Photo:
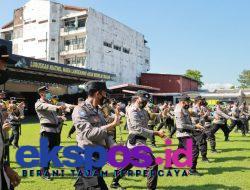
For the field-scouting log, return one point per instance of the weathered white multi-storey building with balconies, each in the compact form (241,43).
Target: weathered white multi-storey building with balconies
(79,37)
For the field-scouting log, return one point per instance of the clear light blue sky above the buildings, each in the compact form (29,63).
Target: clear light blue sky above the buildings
(212,36)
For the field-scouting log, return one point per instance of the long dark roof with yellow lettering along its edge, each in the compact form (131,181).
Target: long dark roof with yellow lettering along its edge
(29,69)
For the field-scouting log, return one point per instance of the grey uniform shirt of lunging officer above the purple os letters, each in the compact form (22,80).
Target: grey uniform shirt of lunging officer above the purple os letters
(137,121)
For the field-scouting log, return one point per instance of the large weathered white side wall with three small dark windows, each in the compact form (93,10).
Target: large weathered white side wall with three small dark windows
(127,67)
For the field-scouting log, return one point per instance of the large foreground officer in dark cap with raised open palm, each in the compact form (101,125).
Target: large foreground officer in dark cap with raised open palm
(92,129)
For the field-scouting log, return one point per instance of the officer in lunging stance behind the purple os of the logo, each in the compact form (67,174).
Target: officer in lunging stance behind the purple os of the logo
(137,121)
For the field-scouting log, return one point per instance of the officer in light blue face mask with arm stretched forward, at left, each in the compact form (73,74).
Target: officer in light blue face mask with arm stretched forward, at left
(49,121)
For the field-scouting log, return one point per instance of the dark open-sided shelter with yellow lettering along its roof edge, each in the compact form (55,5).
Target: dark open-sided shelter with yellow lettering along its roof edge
(21,76)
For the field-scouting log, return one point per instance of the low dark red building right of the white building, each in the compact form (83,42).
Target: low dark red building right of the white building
(168,83)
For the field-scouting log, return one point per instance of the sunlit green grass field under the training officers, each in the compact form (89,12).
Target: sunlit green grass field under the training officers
(229,169)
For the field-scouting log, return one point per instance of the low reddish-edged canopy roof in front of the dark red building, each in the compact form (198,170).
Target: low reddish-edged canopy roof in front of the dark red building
(133,87)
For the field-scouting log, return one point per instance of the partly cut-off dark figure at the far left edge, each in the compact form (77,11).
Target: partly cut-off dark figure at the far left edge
(8,177)
